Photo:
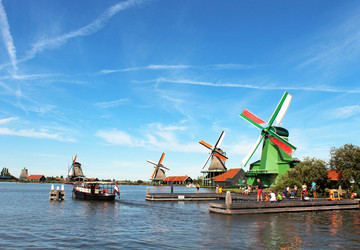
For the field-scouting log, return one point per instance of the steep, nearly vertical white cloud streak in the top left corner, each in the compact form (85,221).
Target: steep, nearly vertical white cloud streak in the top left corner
(7,38)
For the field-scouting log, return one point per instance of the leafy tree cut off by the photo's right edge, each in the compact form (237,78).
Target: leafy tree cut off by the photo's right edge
(346,160)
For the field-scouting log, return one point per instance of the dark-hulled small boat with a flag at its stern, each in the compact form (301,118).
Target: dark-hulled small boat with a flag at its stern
(96,190)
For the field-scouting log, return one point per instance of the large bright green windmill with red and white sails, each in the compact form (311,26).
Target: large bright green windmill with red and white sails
(276,150)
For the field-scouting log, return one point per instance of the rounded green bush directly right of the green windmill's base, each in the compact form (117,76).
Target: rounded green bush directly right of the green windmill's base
(307,171)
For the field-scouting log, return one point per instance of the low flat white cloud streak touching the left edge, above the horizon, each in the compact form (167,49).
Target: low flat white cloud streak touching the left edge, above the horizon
(42,134)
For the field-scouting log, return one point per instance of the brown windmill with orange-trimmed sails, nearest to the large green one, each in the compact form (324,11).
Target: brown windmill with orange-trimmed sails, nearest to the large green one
(217,164)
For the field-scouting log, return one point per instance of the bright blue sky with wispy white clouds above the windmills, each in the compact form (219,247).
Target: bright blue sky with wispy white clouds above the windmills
(120,82)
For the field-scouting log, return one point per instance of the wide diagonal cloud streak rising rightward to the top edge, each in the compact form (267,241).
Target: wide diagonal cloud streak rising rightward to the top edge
(89,29)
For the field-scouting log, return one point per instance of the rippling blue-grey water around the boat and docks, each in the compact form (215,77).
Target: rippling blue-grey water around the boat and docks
(28,219)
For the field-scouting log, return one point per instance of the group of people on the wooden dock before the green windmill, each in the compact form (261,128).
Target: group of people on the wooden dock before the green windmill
(288,193)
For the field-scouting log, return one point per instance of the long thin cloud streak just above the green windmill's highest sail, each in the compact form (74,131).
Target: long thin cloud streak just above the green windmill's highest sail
(320,88)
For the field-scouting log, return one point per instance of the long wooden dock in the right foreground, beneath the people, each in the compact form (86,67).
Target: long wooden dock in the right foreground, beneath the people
(253,207)
